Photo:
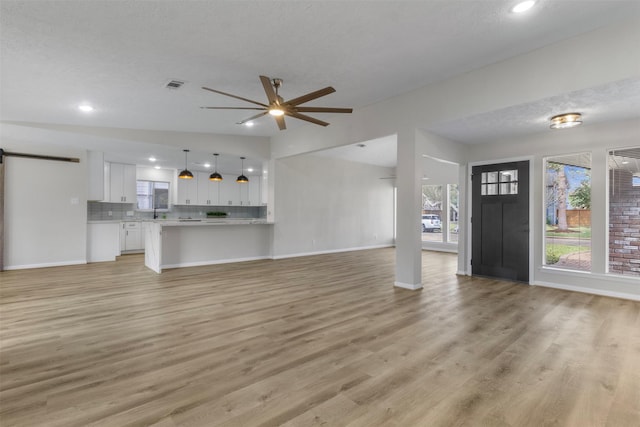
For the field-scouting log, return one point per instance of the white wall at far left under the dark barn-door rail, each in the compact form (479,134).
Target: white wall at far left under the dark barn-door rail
(45,208)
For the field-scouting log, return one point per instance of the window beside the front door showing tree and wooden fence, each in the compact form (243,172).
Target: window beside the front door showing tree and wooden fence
(568,211)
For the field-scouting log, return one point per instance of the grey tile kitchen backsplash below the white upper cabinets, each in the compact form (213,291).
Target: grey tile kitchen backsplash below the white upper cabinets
(100,211)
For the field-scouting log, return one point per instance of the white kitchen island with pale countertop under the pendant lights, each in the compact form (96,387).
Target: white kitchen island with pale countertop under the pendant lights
(188,243)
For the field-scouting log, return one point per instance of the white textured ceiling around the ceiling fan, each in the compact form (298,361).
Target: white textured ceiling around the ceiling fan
(118,56)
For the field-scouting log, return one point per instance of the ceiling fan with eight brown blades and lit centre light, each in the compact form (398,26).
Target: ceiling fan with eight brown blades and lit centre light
(278,107)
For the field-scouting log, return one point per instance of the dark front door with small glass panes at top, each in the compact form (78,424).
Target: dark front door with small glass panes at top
(500,221)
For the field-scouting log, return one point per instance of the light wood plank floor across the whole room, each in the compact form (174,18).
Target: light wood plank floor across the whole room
(323,340)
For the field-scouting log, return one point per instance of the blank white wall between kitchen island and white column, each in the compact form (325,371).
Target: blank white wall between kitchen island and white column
(325,205)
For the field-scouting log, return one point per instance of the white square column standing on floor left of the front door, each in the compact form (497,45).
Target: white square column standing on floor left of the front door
(408,227)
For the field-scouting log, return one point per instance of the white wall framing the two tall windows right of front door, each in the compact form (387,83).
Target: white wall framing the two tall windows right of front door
(597,140)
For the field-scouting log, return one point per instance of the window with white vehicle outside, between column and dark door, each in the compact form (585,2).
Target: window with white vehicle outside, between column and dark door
(437,202)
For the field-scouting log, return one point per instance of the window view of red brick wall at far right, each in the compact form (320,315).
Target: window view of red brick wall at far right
(624,212)
